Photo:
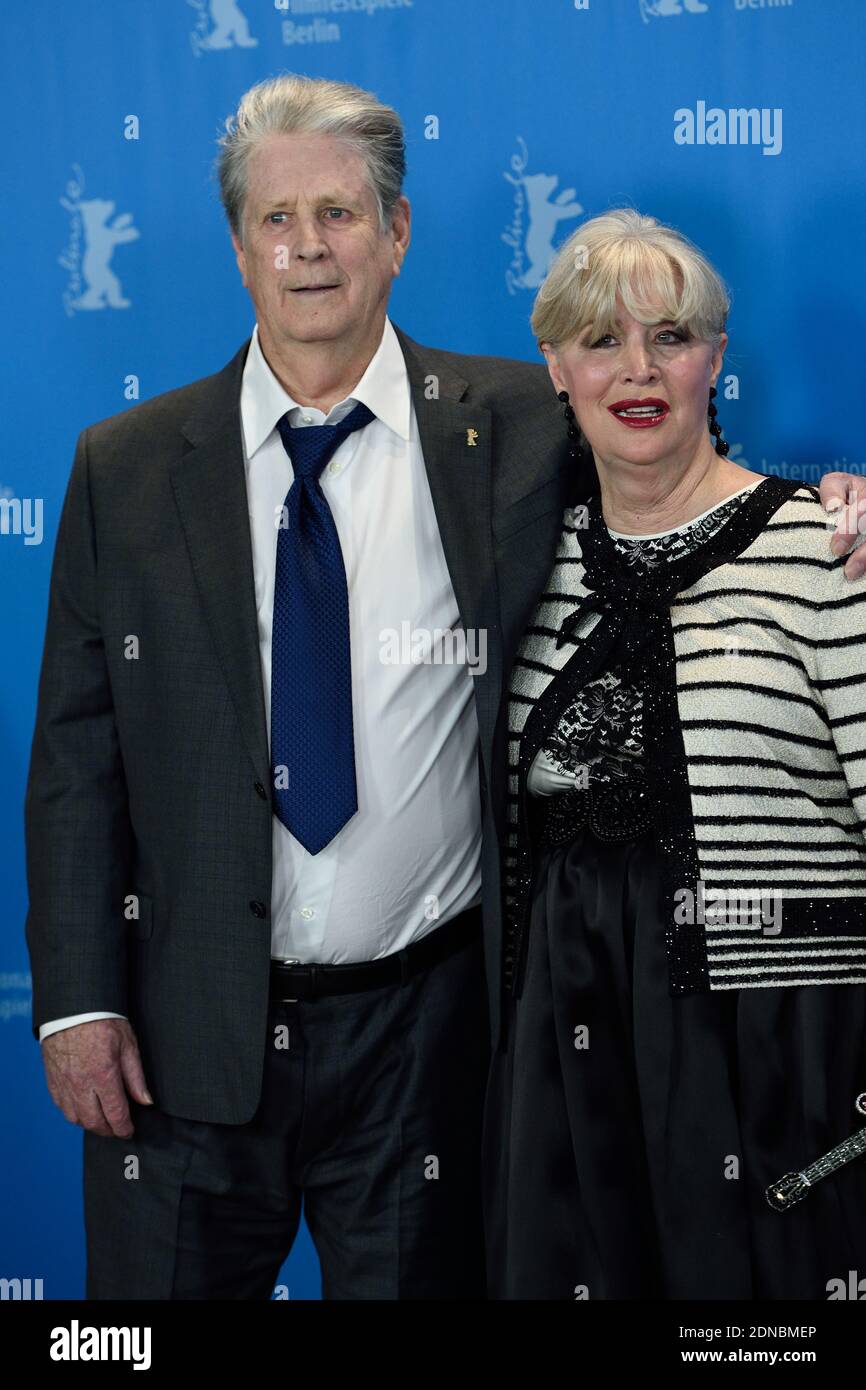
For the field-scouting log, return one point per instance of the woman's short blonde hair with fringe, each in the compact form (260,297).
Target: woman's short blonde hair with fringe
(644,262)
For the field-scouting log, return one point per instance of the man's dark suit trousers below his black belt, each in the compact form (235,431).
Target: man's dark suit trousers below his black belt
(370,1111)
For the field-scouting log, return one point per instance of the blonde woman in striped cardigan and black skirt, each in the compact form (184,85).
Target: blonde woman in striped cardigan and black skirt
(685,862)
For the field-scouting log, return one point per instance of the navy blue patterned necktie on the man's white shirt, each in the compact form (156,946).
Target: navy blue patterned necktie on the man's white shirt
(312,739)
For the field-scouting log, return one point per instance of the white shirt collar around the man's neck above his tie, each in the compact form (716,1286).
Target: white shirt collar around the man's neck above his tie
(384,389)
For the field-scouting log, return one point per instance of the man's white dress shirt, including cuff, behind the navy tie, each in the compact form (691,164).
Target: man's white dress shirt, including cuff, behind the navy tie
(411,857)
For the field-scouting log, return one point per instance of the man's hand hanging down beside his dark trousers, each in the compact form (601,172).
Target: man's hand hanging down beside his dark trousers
(87,1068)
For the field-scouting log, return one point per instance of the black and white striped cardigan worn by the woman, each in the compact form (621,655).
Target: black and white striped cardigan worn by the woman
(757,747)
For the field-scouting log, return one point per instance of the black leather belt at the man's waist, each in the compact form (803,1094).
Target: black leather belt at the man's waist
(293,982)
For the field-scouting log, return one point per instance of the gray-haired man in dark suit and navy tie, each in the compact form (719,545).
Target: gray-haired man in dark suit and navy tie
(255,840)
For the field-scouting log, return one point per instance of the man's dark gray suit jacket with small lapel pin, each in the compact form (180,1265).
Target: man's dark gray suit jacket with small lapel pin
(151,778)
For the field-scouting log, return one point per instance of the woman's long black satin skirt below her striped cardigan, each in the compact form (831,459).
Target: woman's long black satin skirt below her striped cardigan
(630,1135)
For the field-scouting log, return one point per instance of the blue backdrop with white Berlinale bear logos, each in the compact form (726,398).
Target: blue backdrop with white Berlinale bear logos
(740,122)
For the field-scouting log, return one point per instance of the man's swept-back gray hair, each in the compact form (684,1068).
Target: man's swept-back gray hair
(293,105)
